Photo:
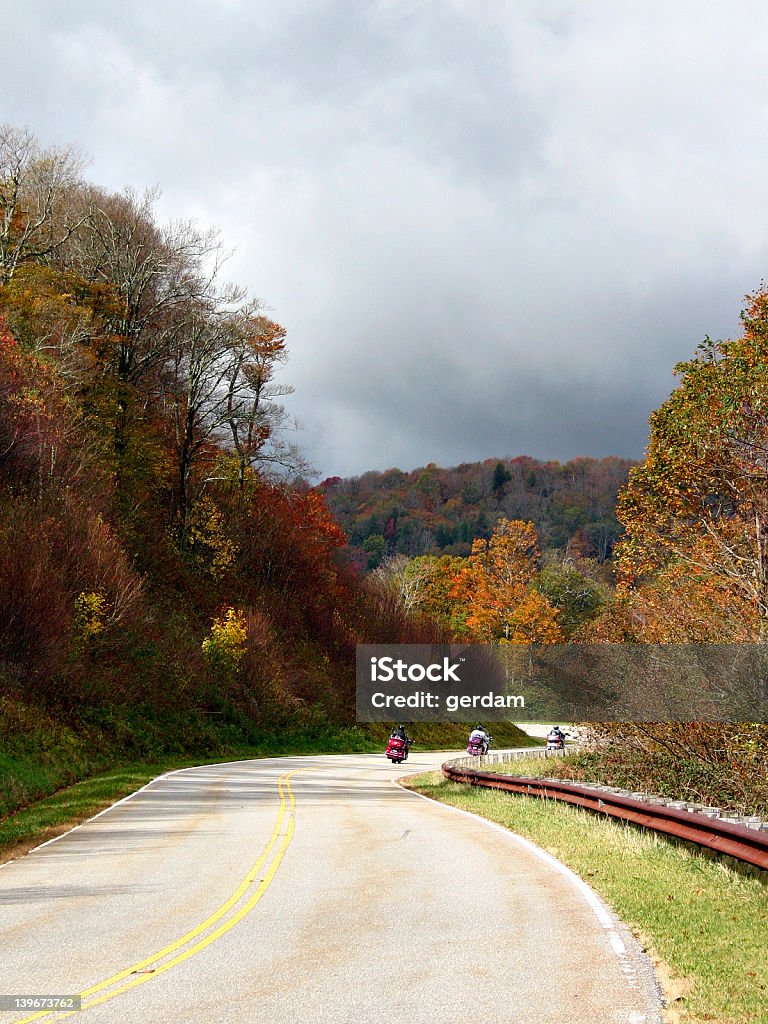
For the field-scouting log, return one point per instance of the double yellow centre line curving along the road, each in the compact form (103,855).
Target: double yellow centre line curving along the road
(284,788)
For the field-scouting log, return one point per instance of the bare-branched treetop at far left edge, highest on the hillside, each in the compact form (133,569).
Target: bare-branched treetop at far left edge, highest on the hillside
(35,220)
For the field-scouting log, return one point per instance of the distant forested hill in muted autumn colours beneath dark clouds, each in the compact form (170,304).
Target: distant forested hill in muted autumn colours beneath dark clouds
(433,510)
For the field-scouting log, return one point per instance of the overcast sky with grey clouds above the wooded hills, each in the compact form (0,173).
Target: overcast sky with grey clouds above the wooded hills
(490,228)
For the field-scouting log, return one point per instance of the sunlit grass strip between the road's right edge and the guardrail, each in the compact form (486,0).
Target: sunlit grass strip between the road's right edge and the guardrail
(705,918)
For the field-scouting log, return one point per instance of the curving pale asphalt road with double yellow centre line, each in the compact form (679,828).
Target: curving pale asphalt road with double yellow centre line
(310,890)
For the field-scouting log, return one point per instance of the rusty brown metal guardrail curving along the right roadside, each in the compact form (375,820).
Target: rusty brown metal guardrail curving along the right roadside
(735,840)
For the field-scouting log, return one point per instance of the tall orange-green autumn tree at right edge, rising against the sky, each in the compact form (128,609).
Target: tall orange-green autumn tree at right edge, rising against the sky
(700,501)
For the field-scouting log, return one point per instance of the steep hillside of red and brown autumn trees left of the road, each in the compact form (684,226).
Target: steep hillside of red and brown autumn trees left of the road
(164,584)
